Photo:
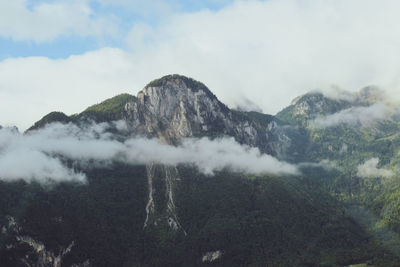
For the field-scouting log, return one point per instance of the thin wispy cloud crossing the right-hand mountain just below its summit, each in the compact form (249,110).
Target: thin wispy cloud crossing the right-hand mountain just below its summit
(366,116)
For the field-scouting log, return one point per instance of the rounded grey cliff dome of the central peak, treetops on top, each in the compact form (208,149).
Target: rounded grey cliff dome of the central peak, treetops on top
(176,107)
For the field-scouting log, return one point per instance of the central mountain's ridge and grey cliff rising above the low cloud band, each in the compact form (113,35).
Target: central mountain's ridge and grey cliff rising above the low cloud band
(174,107)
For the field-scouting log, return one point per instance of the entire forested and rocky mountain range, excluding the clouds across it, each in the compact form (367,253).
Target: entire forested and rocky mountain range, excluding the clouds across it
(175,215)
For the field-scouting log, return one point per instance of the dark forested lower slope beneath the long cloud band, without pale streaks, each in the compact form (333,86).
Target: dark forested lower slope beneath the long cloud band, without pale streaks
(254,221)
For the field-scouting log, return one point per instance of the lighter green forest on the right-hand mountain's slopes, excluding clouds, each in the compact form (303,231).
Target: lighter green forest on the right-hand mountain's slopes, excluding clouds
(372,201)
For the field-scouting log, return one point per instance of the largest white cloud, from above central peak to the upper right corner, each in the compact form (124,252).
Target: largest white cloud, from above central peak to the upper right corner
(272,51)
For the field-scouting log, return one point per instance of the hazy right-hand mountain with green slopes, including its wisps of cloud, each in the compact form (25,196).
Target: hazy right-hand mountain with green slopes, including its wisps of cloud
(359,138)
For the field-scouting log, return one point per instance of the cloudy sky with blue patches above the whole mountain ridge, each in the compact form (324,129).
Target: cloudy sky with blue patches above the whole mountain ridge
(65,55)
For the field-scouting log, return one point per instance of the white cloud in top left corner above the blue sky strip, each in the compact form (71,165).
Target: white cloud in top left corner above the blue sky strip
(46,21)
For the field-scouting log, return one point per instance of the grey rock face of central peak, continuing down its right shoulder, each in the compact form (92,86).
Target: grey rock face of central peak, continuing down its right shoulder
(176,107)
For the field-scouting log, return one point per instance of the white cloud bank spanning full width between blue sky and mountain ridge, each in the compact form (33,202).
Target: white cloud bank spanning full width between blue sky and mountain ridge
(269,51)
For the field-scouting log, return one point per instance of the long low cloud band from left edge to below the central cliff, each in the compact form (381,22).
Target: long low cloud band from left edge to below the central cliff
(37,155)
